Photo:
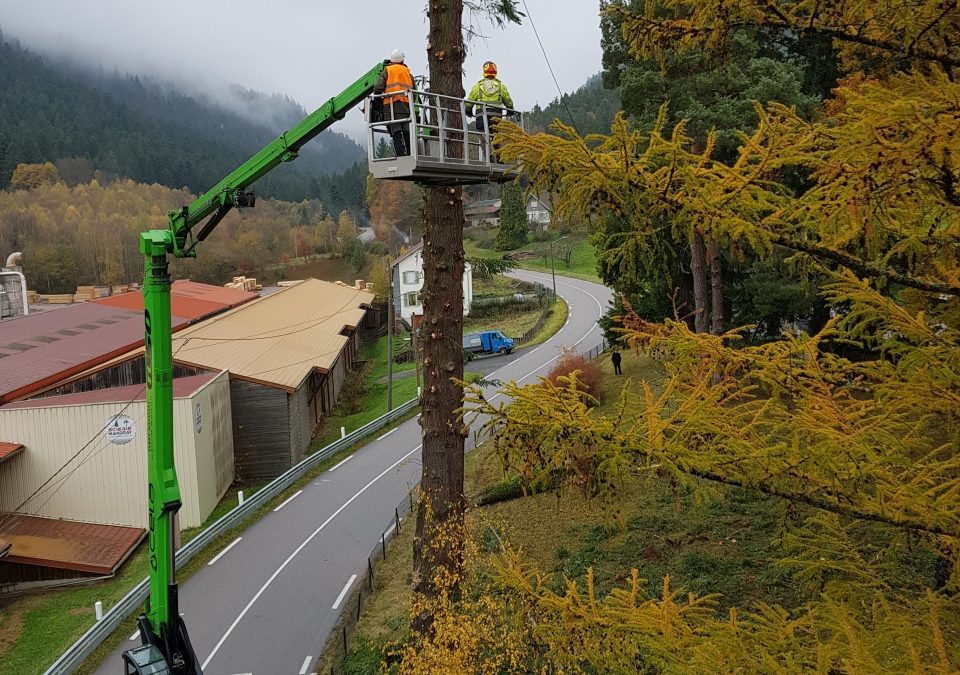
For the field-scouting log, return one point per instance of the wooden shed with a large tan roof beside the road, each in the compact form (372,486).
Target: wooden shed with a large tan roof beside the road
(288,354)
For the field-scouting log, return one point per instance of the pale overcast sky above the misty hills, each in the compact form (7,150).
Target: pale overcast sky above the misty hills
(306,49)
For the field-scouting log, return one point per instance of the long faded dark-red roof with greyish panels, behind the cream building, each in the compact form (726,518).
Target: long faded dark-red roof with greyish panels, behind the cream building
(39,350)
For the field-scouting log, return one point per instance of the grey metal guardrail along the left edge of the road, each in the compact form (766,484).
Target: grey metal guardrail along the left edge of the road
(132,601)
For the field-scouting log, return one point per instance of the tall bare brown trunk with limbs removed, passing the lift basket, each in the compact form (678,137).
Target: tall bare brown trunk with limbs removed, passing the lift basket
(438,541)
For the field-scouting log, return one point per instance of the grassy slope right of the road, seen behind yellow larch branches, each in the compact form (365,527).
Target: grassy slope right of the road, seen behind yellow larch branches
(724,544)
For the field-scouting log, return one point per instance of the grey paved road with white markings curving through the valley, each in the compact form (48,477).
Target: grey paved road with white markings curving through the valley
(268,602)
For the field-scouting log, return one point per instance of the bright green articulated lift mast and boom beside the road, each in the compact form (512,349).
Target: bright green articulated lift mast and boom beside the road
(165,645)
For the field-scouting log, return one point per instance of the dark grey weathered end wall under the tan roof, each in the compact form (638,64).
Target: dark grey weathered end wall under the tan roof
(261,430)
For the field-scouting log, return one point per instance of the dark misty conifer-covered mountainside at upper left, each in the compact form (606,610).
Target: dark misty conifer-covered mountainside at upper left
(110,126)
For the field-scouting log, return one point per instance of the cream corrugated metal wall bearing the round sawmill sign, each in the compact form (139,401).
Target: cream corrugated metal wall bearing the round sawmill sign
(104,483)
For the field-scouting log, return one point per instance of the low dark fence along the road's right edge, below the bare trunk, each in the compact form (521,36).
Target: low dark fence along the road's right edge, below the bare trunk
(339,643)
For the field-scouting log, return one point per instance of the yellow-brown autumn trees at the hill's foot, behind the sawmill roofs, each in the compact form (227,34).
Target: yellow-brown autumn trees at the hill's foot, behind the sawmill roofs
(87,234)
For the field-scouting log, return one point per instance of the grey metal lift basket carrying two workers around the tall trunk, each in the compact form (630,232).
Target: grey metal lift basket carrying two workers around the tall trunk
(446,148)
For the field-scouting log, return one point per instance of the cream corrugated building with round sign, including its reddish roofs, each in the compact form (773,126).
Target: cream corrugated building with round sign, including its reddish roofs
(82,460)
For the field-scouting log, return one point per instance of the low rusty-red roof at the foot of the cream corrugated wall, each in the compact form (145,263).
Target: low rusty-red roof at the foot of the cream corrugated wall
(67,544)
